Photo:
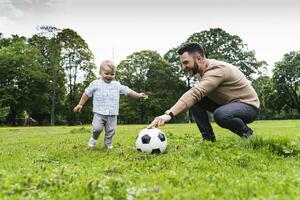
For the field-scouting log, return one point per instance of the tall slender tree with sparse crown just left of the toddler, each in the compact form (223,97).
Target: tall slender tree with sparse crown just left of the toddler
(78,63)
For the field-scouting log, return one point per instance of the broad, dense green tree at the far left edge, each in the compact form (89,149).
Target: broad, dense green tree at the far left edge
(23,81)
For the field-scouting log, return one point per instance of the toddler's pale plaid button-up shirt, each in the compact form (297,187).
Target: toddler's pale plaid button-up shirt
(106,96)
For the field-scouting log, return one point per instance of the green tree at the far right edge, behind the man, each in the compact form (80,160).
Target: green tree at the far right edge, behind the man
(286,78)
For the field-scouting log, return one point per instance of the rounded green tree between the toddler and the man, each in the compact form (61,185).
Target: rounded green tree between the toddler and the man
(147,71)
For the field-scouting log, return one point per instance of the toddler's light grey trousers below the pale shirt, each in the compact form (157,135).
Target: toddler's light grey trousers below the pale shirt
(109,122)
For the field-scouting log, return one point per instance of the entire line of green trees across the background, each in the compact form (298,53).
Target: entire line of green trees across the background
(44,76)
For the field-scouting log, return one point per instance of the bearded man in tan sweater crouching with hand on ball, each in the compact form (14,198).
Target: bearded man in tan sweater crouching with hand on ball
(222,90)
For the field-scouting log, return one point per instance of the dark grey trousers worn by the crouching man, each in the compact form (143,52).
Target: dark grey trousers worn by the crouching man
(233,116)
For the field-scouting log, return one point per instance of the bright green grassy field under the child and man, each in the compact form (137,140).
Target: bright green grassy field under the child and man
(55,163)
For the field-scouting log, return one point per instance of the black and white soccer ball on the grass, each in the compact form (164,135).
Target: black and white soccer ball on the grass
(151,140)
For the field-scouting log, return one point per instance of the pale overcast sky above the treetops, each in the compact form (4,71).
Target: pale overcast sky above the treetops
(114,29)
